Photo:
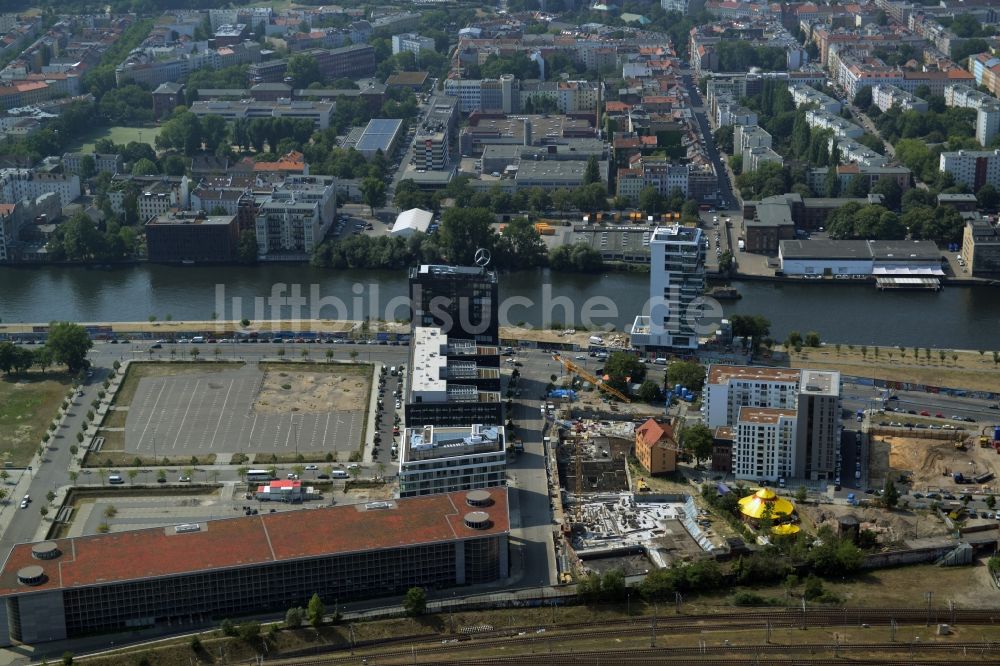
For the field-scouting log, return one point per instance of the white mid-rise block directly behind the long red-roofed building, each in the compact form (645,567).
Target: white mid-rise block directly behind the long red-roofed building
(435,459)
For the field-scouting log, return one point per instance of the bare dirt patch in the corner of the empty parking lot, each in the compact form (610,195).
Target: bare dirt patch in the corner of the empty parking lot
(286,390)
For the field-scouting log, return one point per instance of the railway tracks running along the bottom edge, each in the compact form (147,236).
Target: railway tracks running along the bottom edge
(410,647)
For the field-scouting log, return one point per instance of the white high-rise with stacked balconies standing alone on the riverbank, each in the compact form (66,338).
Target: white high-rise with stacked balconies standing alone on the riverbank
(676,279)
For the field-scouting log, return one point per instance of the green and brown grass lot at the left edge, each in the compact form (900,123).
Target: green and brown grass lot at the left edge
(27,405)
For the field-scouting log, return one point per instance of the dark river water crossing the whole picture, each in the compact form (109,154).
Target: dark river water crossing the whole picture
(955,317)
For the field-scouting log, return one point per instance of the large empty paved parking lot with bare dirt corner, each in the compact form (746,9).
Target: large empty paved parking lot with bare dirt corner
(278,410)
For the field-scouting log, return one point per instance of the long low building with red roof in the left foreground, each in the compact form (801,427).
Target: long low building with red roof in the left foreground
(107,582)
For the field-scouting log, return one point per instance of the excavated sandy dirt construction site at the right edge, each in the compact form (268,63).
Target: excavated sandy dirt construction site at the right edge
(930,461)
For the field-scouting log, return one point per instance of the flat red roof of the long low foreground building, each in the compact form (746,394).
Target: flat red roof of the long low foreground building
(245,541)
